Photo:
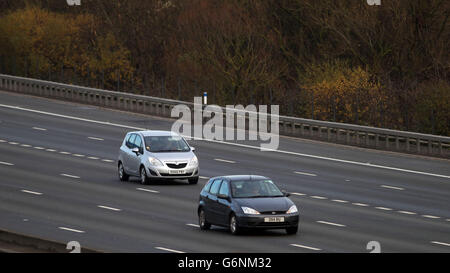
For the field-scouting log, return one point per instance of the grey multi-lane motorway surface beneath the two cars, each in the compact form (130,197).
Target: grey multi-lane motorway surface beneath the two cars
(58,180)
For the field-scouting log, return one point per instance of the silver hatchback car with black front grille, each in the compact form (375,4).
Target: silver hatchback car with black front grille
(157,155)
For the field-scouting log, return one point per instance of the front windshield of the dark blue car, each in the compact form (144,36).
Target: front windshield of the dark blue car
(254,189)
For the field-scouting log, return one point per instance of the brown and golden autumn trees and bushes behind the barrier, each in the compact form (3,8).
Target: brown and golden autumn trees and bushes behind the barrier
(342,61)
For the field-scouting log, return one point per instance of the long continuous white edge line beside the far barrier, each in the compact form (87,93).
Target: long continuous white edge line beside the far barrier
(234,144)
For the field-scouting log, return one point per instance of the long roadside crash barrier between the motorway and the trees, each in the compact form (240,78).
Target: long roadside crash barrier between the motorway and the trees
(342,133)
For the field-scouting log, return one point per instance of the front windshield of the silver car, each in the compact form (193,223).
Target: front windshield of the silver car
(165,144)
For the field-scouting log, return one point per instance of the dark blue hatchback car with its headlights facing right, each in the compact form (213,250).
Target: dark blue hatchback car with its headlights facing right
(246,201)
